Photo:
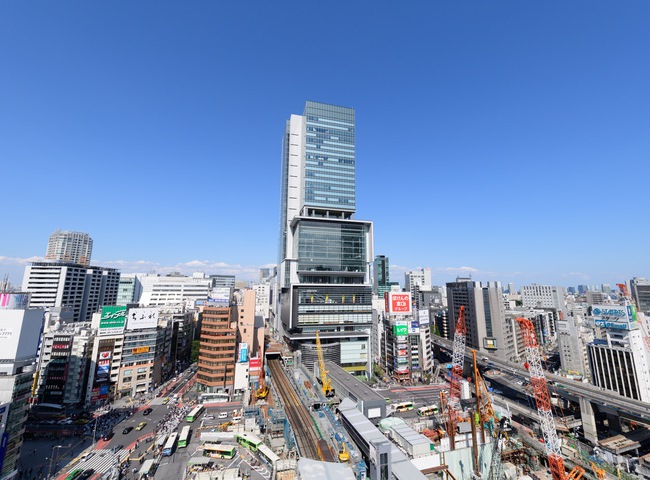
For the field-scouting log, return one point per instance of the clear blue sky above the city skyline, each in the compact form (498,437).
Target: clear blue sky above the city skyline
(504,139)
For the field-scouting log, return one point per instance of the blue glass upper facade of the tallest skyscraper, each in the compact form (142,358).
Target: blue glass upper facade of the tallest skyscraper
(329,156)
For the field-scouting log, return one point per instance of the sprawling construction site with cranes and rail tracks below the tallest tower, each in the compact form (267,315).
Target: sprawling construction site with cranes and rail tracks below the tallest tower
(321,422)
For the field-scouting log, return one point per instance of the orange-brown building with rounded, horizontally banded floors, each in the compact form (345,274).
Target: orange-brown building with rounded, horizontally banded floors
(216,366)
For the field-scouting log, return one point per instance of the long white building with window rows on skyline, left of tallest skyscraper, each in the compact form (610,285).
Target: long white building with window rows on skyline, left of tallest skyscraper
(174,289)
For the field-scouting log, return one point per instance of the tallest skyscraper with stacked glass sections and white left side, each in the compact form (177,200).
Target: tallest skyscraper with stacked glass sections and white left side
(324,254)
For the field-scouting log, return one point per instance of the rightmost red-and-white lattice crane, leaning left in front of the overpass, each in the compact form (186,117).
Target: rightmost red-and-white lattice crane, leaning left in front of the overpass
(543,401)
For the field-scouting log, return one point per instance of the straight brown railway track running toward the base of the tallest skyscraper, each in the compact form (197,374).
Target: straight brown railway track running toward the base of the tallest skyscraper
(307,438)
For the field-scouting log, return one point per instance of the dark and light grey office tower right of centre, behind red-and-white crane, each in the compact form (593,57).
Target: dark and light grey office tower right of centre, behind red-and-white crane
(487,328)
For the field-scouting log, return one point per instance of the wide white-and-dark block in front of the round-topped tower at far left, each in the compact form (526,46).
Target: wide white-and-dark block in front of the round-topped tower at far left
(82,289)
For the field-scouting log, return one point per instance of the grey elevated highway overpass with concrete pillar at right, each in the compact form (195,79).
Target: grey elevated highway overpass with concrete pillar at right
(586,394)
